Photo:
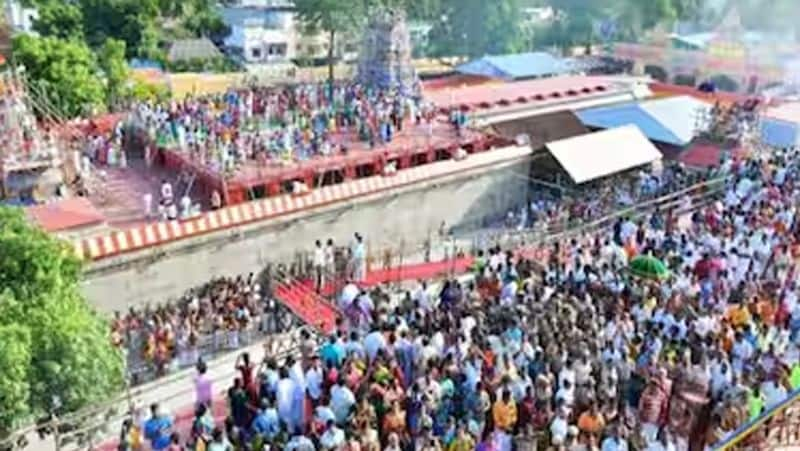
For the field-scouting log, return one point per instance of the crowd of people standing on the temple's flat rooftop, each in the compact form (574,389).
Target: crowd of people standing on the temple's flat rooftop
(282,123)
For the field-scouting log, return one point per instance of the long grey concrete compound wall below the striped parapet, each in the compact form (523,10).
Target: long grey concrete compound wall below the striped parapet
(407,214)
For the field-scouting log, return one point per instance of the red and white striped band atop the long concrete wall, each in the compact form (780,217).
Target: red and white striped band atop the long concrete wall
(159,233)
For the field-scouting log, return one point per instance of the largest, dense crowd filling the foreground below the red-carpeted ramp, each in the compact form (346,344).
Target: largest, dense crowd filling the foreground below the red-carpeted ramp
(574,353)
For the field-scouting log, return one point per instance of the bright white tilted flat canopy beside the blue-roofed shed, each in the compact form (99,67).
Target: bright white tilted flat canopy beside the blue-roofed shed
(595,155)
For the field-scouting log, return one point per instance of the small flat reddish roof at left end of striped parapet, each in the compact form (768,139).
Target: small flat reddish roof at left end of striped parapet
(66,214)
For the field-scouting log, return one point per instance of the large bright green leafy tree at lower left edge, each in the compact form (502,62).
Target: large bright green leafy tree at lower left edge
(61,347)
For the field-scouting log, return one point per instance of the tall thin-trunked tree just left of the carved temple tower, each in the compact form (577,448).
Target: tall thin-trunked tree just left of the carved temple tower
(329,16)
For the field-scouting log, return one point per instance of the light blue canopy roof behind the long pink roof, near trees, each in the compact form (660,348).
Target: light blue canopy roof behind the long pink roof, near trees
(516,66)
